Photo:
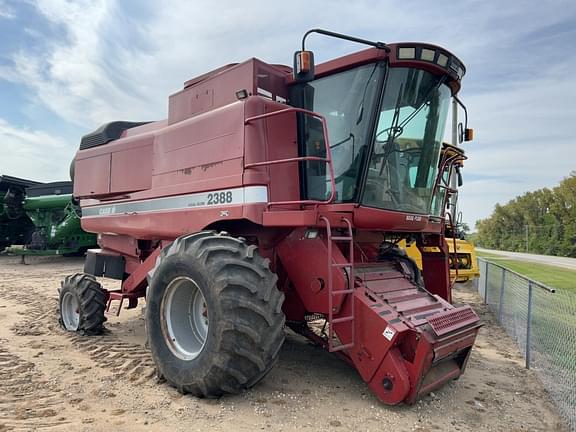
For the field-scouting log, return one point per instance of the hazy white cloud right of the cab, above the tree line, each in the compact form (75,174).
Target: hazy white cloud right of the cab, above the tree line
(524,140)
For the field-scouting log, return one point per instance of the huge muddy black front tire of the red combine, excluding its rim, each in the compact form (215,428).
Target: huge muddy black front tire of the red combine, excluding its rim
(246,322)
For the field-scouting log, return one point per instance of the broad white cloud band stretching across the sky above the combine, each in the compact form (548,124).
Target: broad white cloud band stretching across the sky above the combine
(99,72)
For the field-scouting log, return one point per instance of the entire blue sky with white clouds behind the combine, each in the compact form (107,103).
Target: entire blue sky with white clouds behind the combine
(66,67)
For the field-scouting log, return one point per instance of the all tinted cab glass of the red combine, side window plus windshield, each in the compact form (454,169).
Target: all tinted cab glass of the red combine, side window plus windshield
(393,166)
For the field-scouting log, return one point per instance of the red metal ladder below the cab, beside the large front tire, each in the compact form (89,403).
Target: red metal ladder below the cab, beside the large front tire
(348,267)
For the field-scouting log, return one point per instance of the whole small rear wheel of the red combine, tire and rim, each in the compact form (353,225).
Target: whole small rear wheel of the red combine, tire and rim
(82,304)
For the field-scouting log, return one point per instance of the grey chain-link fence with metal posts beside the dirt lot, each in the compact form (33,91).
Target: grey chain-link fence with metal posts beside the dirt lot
(542,321)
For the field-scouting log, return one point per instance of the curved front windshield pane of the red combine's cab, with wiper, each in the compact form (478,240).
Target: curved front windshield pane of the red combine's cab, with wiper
(404,160)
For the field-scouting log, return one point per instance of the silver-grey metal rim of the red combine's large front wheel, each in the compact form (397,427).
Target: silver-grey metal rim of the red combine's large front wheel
(184,318)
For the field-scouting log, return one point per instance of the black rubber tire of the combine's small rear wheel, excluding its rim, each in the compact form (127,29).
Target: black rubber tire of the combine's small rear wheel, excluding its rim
(91,298)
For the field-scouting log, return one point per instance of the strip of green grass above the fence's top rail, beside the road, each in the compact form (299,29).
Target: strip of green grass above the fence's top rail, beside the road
(554,277)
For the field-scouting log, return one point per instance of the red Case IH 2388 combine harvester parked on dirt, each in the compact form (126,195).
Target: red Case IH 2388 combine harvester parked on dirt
(275,196)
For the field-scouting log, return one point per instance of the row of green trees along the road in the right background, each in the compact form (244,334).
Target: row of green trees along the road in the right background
(541,222)
